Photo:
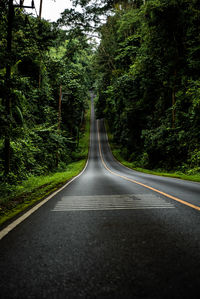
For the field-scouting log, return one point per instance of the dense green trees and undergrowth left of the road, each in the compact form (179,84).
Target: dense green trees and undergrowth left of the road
(47,65)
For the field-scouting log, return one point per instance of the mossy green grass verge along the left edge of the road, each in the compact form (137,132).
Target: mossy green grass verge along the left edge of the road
(30,191)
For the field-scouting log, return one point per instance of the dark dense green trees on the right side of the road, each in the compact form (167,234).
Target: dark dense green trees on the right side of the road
(148,82)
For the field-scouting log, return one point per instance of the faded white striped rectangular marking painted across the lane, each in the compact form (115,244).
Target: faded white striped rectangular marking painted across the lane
(111,202)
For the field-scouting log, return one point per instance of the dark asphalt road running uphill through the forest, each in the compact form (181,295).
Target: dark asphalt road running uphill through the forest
(111,233)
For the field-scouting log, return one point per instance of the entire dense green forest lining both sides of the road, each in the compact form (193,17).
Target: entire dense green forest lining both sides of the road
(144,70)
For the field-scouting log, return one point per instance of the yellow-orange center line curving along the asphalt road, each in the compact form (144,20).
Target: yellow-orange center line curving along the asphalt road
(141,184)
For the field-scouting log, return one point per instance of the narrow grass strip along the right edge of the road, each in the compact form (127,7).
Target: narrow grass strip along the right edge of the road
(117,154)
